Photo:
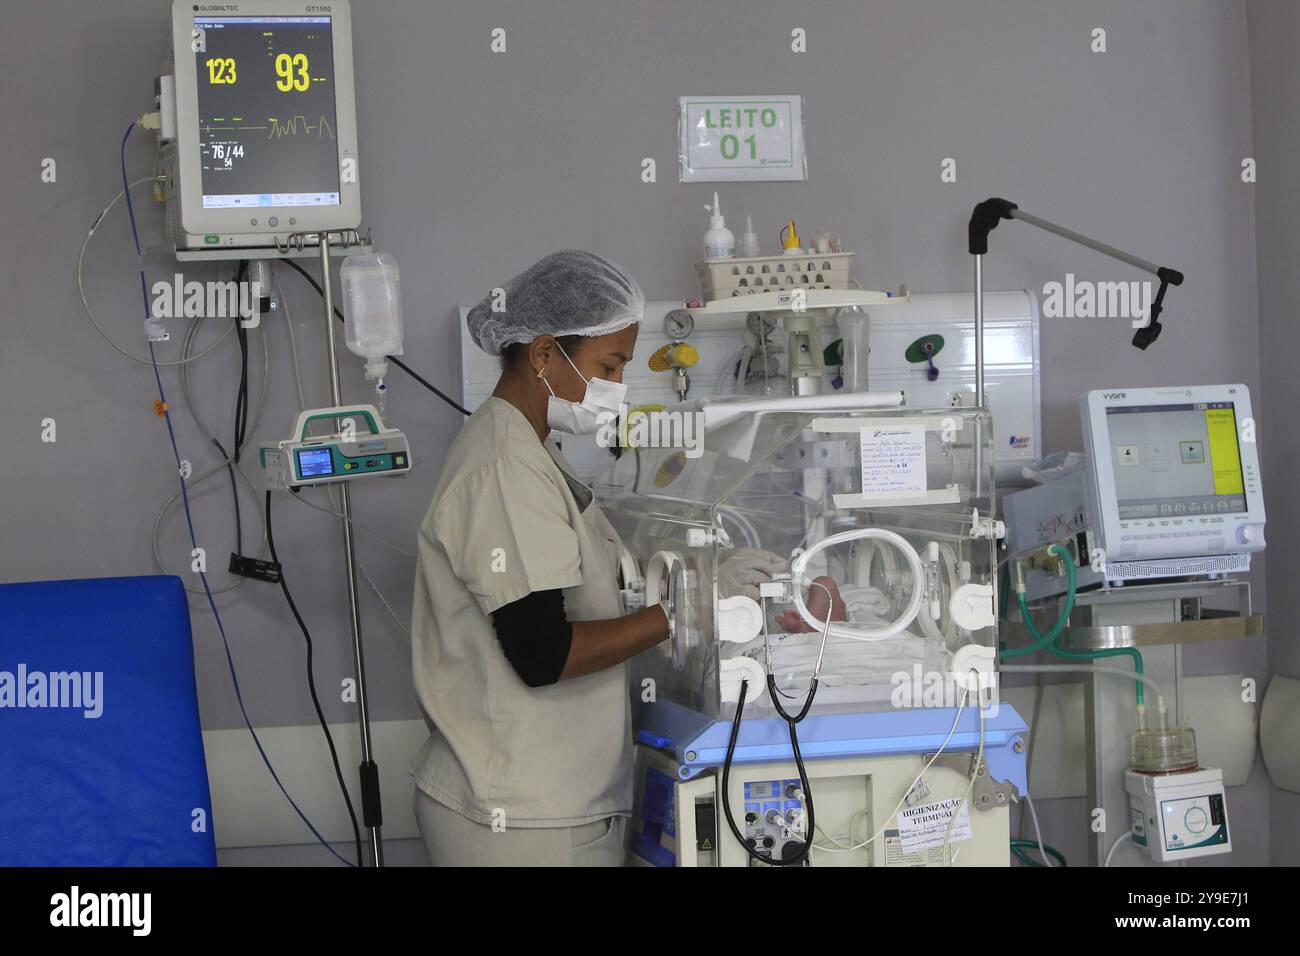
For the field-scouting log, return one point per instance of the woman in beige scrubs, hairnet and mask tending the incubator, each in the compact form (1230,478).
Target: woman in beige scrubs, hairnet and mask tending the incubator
(519,634)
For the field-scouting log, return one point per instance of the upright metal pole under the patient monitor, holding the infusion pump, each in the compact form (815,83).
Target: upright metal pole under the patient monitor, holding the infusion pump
(372,814)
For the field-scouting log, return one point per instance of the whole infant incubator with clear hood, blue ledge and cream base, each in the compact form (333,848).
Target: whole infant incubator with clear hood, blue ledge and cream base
(843,544)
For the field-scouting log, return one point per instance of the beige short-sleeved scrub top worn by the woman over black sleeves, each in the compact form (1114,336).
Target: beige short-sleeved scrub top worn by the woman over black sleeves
(508,520)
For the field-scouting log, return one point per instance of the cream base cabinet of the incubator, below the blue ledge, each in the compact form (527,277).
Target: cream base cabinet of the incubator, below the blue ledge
(682,823)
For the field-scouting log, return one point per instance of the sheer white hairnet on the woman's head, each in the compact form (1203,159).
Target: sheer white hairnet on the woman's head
(570,293)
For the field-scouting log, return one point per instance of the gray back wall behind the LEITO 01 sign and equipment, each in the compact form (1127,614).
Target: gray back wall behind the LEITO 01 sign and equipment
(474,166)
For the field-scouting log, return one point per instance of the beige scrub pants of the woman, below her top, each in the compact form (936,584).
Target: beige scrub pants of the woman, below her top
(456,841)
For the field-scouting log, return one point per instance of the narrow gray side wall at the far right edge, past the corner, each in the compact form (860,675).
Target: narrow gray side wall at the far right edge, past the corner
(1275,32)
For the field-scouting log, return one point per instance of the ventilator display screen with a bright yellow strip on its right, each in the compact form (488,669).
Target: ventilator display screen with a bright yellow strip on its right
(1176,460)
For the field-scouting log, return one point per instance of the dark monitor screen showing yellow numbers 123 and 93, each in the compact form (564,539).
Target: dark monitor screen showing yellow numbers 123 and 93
(267,126)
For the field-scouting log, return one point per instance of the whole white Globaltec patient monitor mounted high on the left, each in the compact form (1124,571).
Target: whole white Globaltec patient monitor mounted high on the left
(262,140)
